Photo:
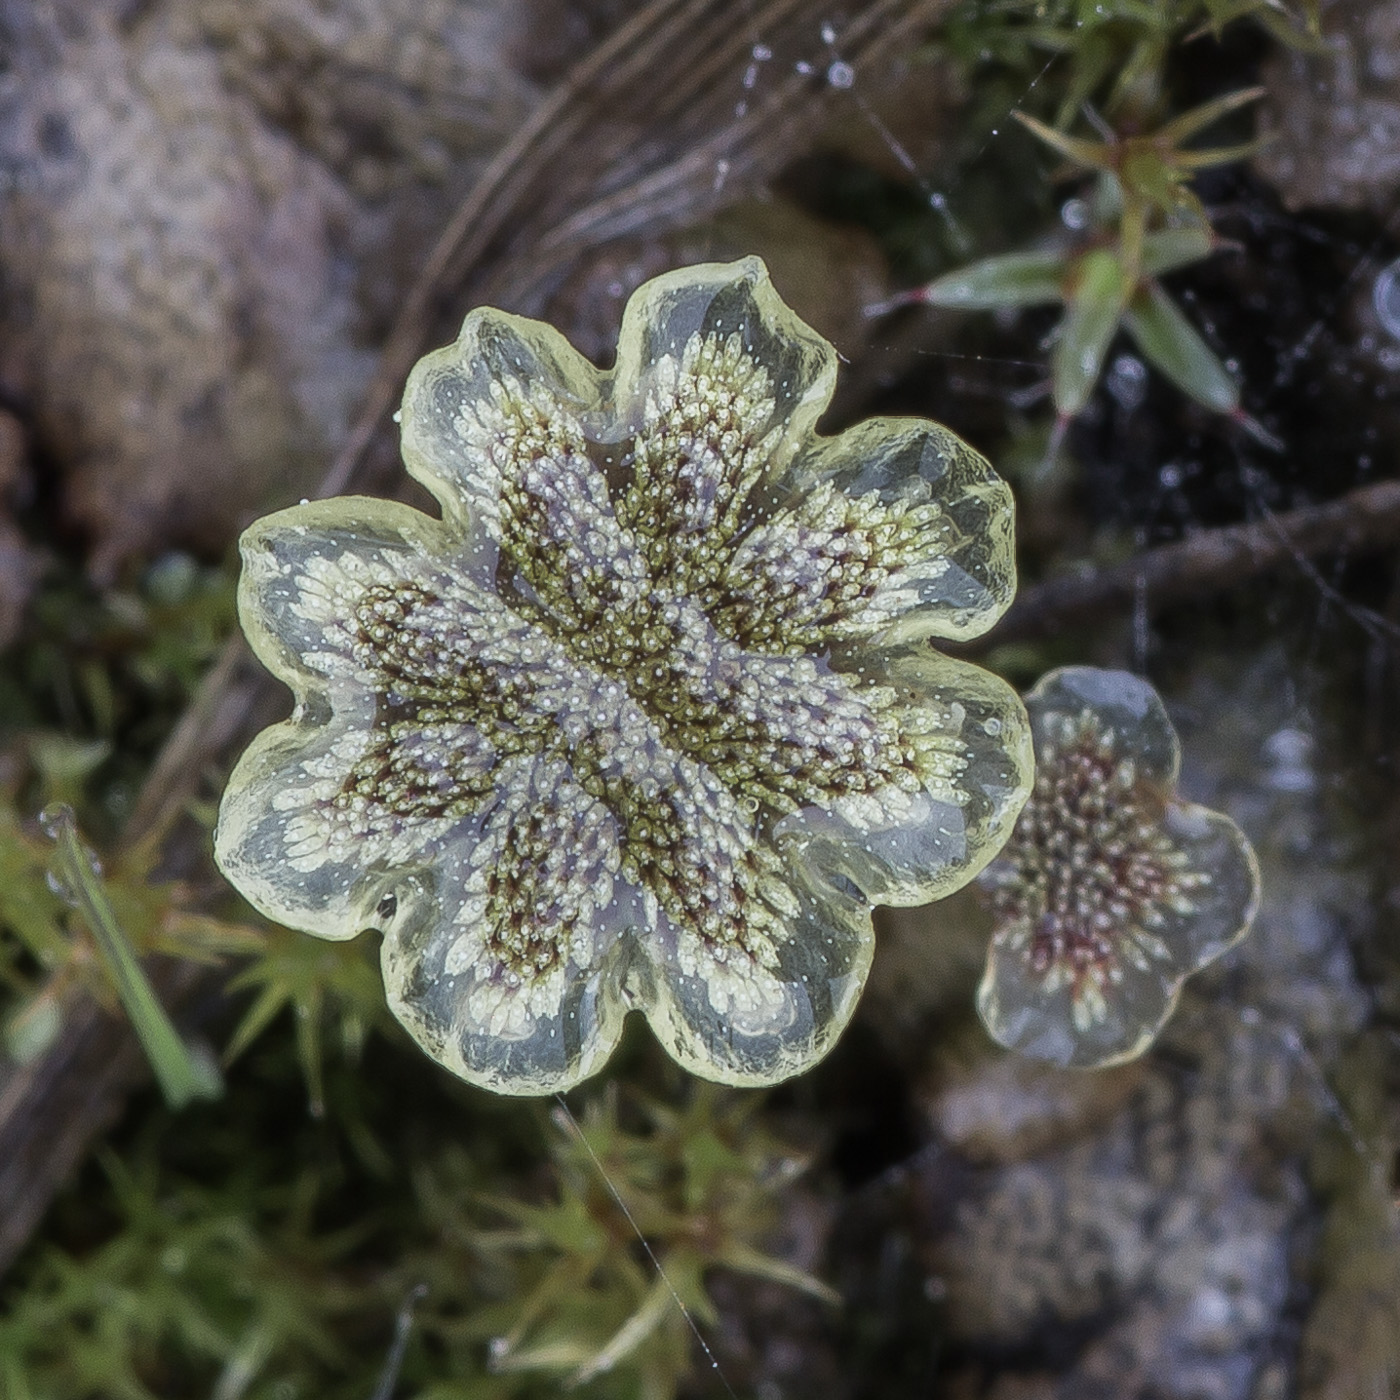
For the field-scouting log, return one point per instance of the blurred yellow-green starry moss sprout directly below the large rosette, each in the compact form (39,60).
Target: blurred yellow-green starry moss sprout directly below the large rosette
(699,1185)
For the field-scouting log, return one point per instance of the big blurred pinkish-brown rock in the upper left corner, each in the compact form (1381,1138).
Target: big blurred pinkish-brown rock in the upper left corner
(183,239)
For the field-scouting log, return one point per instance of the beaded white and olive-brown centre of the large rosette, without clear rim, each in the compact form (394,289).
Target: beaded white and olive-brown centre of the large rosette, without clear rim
(631,699)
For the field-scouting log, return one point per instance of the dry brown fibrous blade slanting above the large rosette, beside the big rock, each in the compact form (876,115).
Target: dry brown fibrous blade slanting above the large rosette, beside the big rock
(632,141)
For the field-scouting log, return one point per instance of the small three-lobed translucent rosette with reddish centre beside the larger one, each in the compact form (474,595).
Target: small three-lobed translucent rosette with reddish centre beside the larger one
(1111,891)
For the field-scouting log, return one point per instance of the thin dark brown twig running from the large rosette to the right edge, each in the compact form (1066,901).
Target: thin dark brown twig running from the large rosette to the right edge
(1209,562)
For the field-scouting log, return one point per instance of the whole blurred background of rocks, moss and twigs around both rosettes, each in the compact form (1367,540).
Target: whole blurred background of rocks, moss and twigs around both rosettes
(1140,254)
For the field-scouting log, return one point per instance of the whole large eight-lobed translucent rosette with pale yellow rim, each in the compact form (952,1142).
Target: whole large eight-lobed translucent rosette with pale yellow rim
(647,720)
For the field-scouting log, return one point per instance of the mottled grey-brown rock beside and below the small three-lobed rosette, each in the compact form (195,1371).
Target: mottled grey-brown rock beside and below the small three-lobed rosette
(1154,1231)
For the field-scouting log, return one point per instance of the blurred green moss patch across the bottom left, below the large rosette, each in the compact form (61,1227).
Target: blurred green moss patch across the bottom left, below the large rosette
(171,1272)
